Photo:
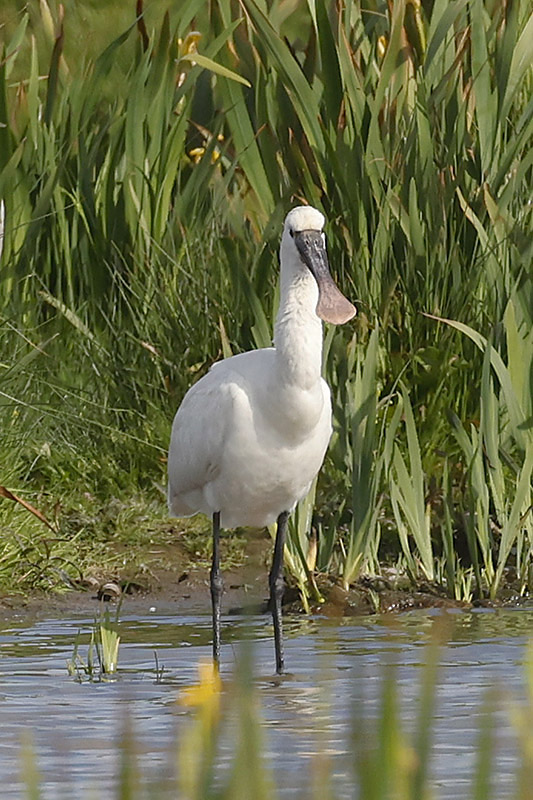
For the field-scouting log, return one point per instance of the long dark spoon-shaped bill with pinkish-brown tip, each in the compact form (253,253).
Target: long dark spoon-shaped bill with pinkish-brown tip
(332,305)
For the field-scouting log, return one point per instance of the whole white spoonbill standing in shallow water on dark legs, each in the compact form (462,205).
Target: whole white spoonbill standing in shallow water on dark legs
(251,435)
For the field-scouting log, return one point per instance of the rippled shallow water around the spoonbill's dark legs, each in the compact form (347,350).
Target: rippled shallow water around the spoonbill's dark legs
(337,668)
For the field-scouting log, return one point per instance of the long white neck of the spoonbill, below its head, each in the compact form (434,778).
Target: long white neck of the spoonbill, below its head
(298,331)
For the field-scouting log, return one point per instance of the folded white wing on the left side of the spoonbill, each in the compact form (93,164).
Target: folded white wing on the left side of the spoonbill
(197,439)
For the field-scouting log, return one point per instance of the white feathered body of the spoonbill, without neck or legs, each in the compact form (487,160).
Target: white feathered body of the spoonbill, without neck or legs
(255,448)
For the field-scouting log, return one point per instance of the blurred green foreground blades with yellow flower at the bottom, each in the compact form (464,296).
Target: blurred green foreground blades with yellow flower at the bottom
(389,758)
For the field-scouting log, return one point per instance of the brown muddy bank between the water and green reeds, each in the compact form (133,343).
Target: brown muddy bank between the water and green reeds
(172,575)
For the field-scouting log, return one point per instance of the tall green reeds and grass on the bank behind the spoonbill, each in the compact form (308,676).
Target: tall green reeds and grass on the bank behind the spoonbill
(144,180)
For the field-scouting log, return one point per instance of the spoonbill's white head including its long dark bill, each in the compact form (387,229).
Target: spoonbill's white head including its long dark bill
(304,243)
